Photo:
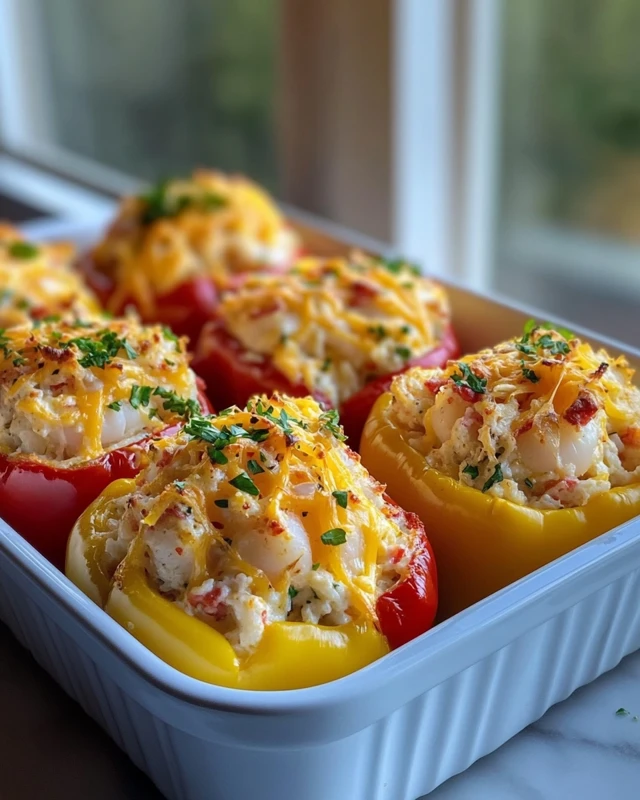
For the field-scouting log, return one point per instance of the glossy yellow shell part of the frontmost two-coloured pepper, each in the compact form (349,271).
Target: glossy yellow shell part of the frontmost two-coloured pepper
(290,655)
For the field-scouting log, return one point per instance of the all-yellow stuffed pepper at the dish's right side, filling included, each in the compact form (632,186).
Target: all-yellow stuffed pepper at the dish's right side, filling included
(515,456)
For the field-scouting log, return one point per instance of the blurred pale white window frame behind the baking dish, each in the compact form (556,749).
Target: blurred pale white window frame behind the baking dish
(444,153)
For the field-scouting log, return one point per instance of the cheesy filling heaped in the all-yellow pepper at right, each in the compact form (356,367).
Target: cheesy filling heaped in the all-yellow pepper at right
(542,420)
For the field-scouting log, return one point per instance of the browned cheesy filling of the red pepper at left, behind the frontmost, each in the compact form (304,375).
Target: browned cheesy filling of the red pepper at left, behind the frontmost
(71,390)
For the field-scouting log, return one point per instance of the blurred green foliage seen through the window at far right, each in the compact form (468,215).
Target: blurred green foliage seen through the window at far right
(571,103)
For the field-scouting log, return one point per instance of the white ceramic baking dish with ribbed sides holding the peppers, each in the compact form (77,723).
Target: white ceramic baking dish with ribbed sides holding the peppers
(393,731)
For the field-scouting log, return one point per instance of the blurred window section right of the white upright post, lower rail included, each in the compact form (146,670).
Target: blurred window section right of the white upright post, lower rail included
(569,192)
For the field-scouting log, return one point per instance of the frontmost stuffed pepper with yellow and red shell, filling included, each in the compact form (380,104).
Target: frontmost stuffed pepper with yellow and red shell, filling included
(256,552)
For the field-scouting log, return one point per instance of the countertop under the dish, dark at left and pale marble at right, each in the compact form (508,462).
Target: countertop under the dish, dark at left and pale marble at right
(580,748)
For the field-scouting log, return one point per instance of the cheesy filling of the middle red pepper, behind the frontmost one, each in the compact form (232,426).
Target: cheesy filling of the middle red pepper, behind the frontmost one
(334,325)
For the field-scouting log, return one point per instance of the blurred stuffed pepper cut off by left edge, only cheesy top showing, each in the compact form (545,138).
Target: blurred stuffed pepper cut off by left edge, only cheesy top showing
(37,281)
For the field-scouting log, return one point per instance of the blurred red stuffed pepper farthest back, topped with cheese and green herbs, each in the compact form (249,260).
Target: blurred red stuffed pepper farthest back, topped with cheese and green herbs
(171,250)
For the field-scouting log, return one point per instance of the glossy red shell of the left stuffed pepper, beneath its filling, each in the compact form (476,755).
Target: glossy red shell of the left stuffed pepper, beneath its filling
(42,500)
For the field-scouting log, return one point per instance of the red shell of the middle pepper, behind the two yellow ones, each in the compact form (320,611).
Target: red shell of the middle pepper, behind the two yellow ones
(232,377)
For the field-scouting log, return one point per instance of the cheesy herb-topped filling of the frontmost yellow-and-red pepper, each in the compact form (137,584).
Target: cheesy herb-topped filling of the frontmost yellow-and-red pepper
(261,515)
